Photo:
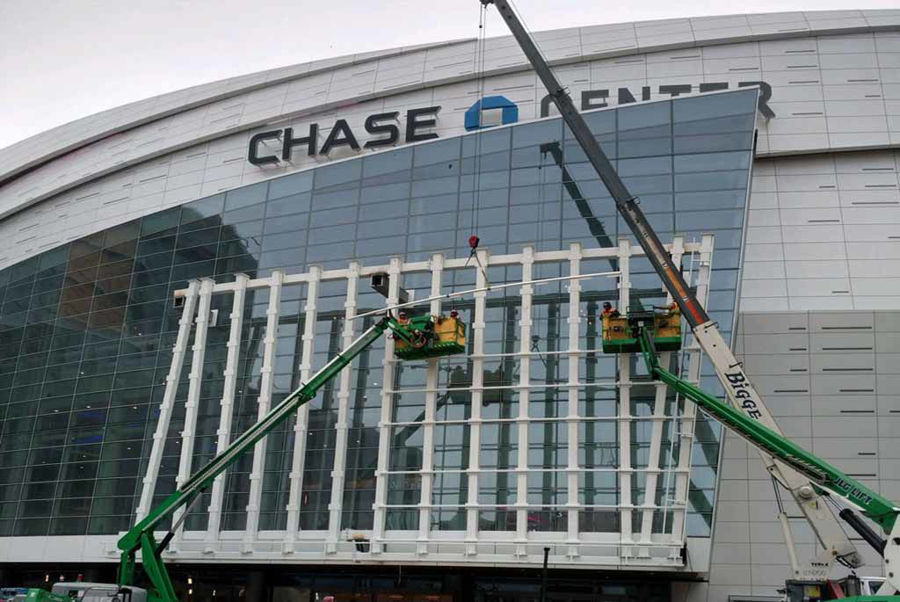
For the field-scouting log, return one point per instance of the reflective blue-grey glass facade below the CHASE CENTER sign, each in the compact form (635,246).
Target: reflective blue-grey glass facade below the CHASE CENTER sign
(86,329)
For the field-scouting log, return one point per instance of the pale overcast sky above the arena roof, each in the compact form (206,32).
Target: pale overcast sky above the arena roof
(65,59)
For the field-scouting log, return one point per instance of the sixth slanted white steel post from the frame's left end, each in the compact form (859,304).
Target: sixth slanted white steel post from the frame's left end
(338,472)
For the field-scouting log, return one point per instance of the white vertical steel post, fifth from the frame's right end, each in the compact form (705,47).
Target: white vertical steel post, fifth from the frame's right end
(523,422)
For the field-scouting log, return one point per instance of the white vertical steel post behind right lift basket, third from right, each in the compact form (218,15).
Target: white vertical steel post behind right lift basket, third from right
(624,408)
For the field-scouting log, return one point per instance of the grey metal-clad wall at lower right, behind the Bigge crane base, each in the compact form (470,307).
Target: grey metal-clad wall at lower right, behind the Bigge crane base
(829,378)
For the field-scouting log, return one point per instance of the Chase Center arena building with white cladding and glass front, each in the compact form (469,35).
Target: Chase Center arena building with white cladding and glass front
(763,148)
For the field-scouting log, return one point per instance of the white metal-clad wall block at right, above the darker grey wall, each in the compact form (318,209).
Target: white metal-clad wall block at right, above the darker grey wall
(823,232)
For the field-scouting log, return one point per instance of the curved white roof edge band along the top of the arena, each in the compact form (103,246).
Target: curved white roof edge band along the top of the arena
(650,36)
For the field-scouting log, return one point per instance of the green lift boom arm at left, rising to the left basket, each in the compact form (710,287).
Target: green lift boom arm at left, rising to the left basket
(140,537)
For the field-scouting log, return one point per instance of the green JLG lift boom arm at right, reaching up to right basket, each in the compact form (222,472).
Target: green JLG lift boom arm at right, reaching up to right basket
(874,506)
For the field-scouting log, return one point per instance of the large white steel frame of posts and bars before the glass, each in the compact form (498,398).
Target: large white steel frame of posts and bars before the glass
(633,547)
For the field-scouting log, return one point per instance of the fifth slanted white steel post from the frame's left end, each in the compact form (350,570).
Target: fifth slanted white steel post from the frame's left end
(298,459)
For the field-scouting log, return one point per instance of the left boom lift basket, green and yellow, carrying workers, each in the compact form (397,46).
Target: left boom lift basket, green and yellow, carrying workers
(430,336)
